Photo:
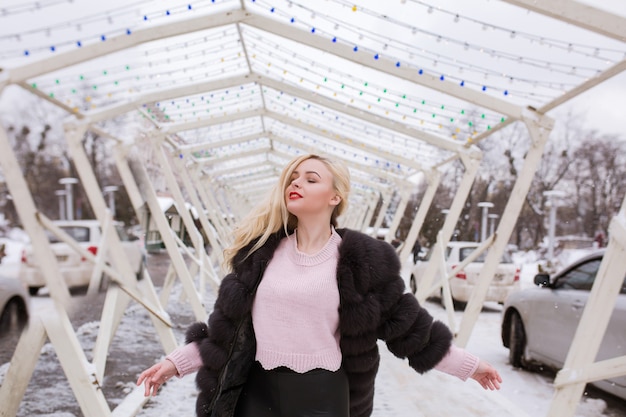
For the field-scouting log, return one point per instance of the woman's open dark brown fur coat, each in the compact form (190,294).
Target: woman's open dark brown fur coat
(373,305)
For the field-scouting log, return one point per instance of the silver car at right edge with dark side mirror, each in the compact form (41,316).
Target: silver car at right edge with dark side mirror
(538,324)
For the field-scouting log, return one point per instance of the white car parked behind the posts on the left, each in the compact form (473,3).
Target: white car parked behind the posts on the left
(77,270)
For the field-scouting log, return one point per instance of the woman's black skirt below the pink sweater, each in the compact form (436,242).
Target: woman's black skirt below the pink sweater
(282,392)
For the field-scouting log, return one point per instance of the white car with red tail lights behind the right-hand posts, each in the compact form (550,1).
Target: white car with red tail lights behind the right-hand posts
(505,281)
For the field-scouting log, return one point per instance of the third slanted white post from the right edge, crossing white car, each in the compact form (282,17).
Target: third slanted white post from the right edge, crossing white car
(472,163)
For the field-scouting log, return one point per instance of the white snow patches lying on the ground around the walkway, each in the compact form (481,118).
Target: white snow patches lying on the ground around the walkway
(399,390)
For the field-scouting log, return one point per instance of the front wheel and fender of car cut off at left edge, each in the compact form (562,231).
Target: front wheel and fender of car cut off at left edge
(14,305)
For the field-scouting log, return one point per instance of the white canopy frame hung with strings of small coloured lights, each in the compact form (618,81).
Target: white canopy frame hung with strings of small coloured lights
(220,94)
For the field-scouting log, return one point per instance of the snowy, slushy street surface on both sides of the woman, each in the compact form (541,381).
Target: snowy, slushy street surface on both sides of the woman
(399,390)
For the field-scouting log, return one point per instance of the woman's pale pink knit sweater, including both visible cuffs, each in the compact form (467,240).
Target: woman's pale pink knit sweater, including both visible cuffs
(296,319)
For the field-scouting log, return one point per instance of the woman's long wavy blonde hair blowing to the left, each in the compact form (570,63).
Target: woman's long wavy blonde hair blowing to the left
(267,218)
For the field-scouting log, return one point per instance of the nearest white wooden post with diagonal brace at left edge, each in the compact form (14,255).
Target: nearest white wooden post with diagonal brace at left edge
(56,325)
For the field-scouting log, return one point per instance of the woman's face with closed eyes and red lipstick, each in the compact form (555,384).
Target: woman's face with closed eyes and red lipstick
(311,191)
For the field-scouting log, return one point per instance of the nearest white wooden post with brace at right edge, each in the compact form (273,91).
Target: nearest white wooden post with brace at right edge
(578,368)
